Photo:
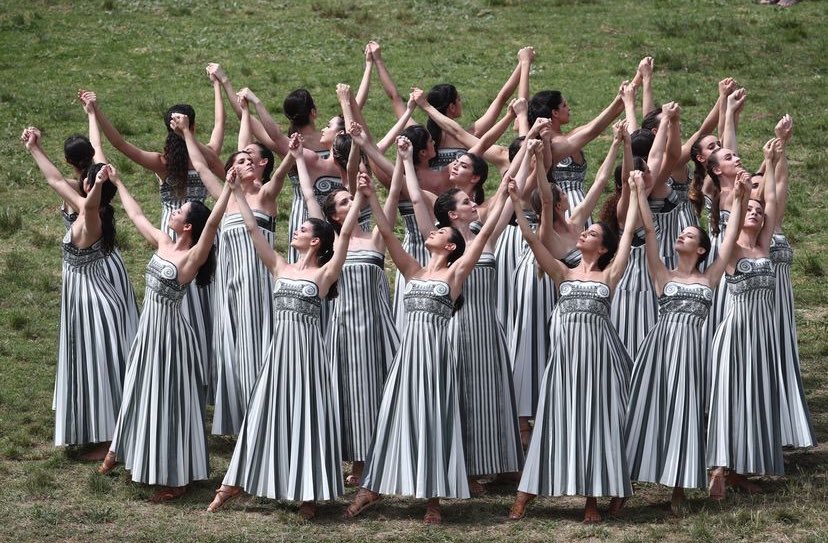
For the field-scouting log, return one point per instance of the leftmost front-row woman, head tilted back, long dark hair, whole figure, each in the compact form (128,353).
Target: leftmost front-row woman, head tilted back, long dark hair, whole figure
(160,435)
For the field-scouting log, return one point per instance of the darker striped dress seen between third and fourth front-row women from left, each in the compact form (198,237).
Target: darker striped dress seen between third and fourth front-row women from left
(491,438)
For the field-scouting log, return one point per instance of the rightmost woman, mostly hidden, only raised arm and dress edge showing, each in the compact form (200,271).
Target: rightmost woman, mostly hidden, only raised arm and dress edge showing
(797,429)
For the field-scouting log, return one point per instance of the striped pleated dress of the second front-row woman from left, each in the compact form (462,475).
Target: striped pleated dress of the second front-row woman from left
(288,446)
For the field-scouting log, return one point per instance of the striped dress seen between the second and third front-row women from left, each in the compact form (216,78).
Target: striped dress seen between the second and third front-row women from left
(363,341)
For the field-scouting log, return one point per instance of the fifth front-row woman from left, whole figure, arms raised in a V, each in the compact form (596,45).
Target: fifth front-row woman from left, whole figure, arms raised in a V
(665,415)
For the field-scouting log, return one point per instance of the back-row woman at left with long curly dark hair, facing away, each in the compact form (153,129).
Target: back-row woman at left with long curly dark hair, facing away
(178,183)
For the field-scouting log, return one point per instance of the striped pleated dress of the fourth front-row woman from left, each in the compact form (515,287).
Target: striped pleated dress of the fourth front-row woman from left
(578,445)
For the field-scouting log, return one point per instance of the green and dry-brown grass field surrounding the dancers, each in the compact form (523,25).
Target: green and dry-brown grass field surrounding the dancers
(142,56)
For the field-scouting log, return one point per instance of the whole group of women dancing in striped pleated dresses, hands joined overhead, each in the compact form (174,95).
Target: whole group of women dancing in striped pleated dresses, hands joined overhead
(526,342)
